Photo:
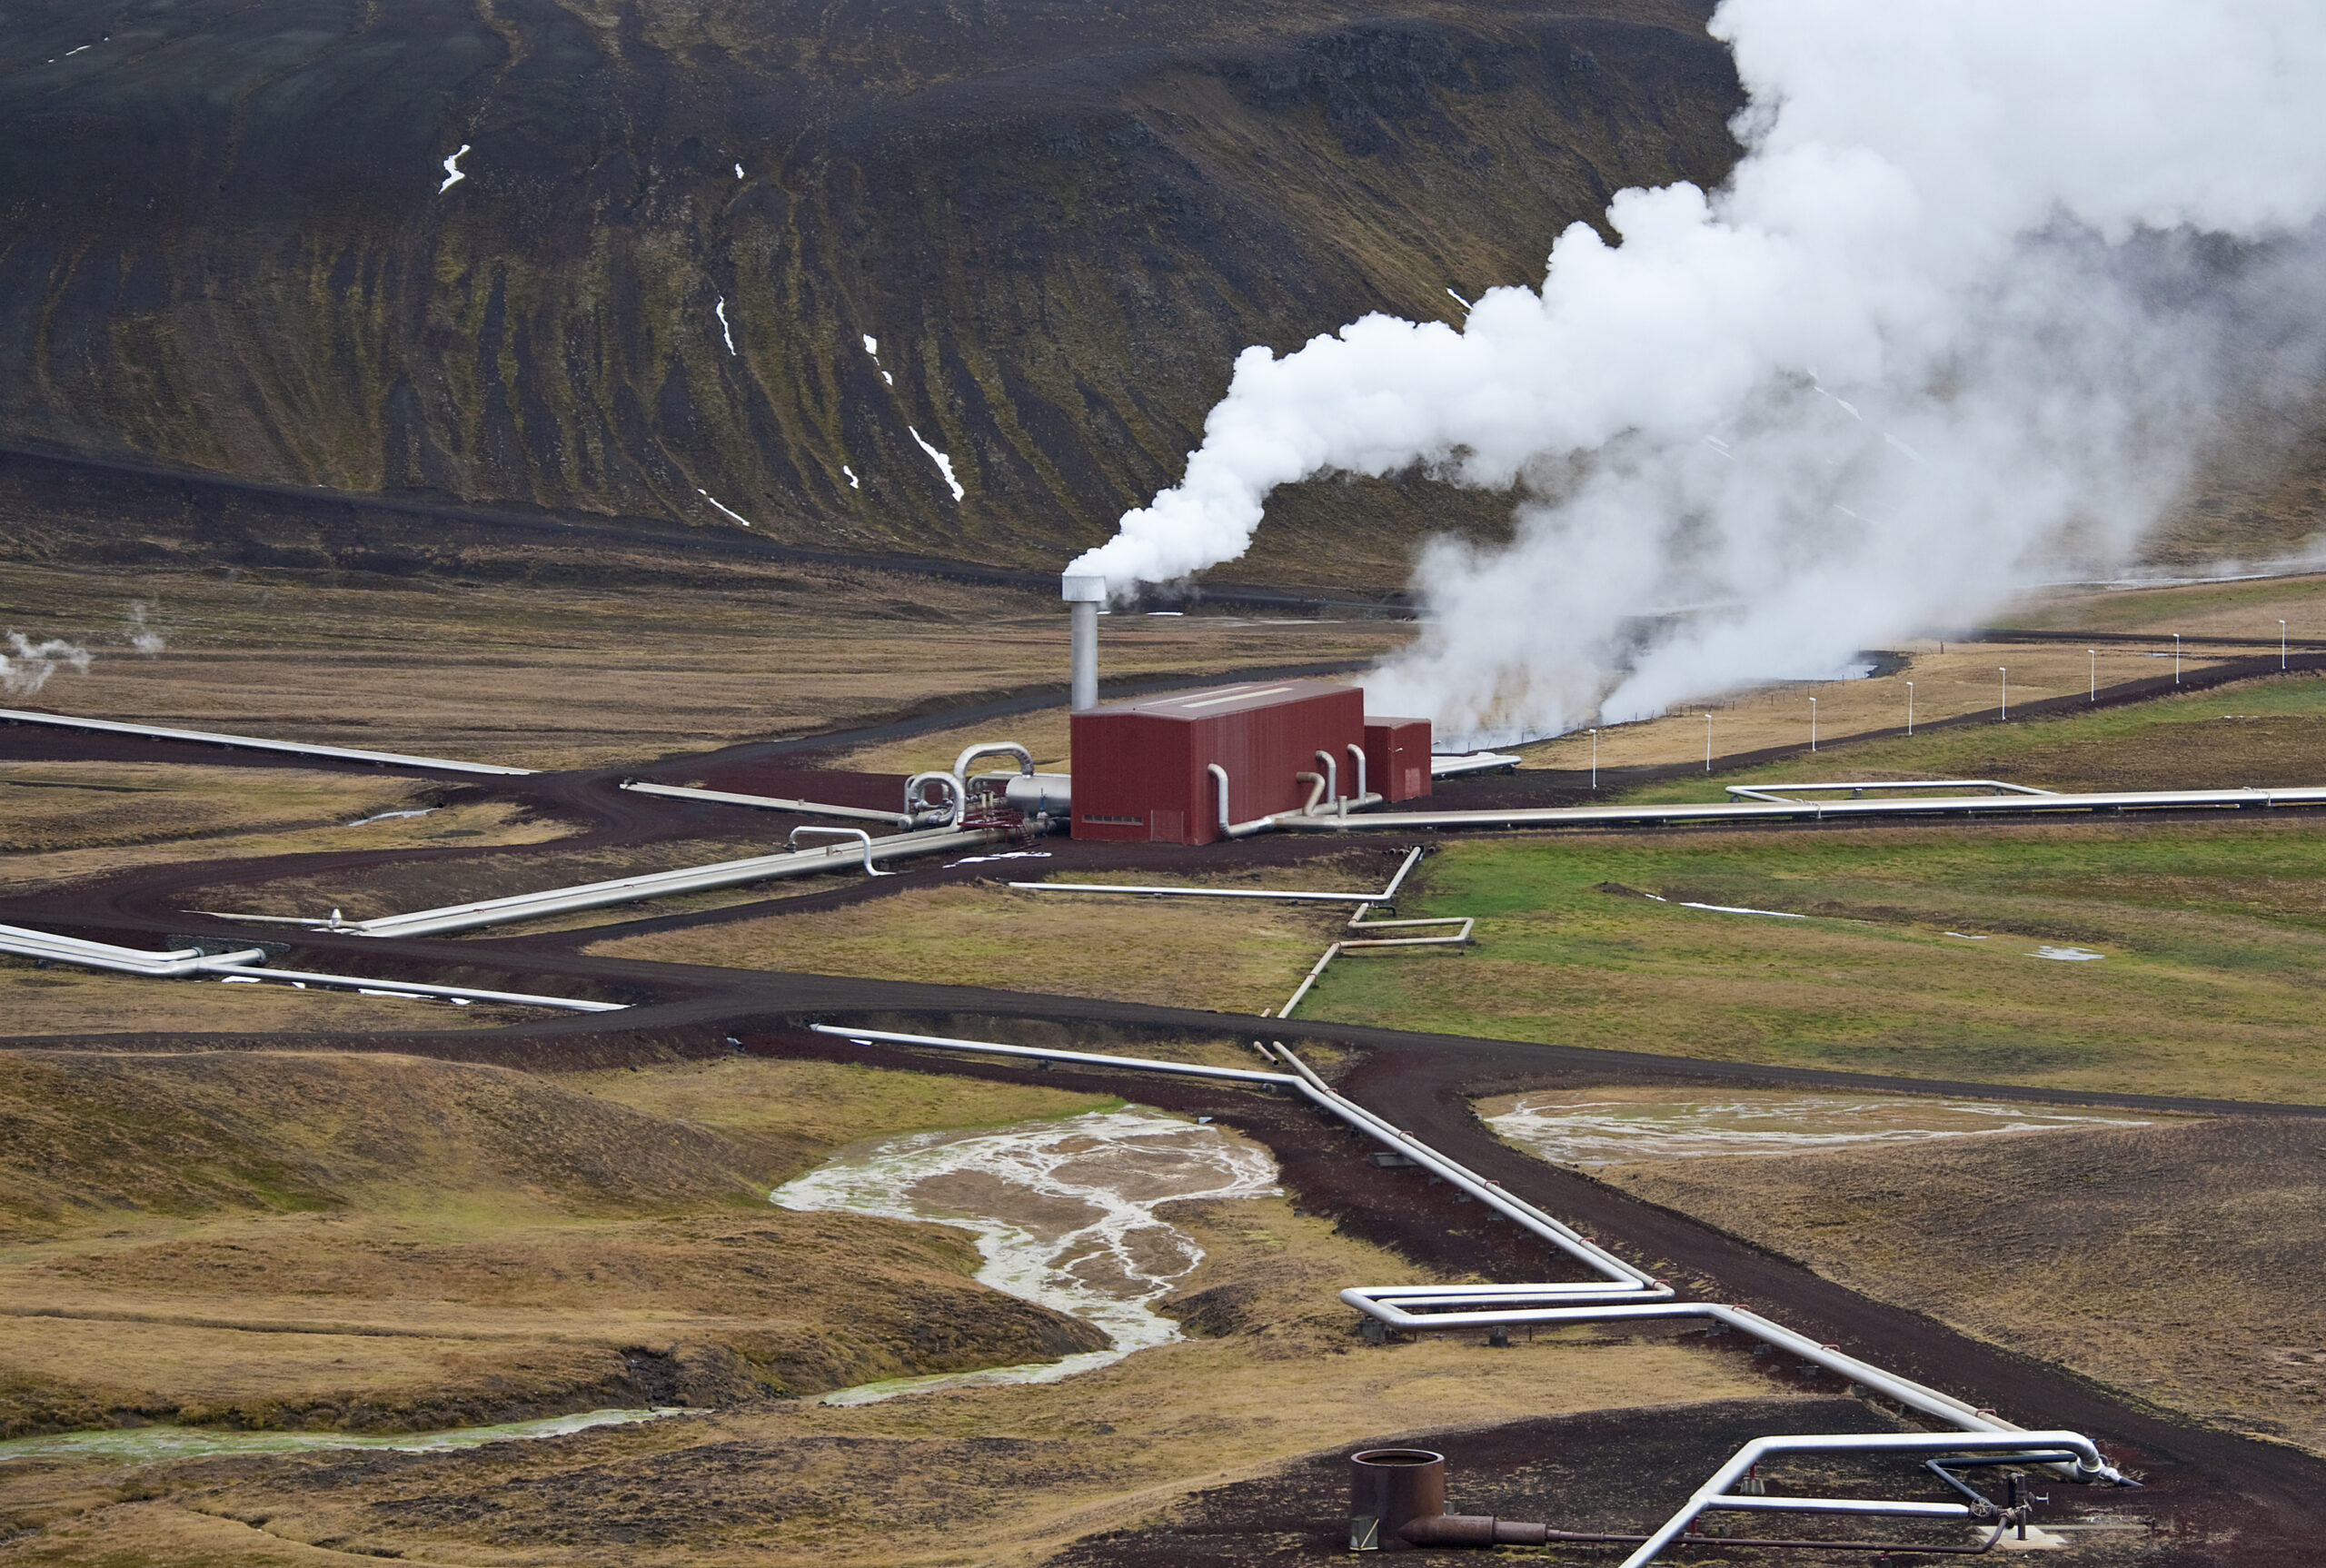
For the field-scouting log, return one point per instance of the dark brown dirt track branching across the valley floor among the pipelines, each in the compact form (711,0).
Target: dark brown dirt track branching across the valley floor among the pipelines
(1425,1083)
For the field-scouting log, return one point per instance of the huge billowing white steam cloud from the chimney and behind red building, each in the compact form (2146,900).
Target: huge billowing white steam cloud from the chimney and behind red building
(1962,318)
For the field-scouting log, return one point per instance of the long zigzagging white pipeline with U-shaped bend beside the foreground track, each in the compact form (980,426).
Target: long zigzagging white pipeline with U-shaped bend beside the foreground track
(1620,1295)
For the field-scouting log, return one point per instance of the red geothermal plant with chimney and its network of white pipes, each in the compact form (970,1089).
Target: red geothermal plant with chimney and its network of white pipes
(1211,767)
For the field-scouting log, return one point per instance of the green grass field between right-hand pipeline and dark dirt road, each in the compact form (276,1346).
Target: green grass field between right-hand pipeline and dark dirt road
(2213,946)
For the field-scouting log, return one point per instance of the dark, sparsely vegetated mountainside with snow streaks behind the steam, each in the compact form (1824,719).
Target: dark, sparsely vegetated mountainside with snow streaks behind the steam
(224,241)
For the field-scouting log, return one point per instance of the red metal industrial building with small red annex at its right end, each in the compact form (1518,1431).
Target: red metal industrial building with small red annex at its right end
(1146,771)
